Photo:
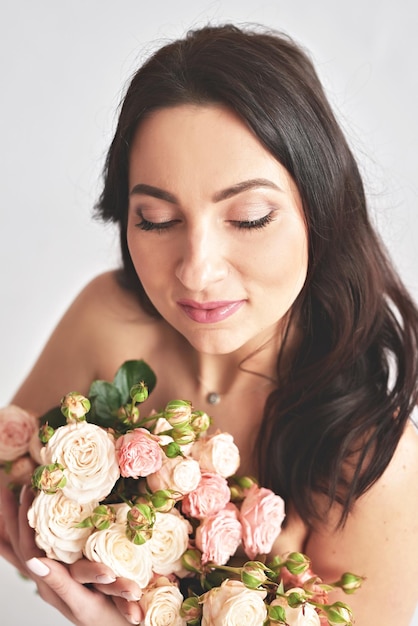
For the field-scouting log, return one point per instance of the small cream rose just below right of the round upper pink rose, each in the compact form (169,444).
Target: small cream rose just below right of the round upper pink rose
(180,474)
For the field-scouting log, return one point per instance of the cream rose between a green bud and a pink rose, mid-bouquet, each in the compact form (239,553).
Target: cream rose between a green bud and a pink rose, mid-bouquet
(170,539)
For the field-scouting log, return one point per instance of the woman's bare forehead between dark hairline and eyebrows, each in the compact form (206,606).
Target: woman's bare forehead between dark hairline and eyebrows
(208,146)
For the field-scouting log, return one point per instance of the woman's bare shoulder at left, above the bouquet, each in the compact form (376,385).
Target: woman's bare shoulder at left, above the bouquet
(100,330)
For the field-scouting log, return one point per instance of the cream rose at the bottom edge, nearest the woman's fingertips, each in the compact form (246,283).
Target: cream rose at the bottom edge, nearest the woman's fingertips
(161,606)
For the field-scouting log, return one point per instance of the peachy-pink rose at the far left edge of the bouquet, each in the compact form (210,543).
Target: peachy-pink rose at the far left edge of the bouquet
(16,429)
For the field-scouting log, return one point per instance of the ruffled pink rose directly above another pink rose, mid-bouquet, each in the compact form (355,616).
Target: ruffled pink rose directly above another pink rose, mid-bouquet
(211,496)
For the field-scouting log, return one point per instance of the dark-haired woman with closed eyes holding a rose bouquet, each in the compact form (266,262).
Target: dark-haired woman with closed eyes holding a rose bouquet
(253,283)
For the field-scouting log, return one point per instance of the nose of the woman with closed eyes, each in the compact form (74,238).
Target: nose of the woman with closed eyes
(202,261)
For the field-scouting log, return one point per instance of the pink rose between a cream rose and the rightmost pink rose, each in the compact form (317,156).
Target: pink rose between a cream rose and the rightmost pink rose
(219,536)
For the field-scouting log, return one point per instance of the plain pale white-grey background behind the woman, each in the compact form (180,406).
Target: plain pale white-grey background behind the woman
(63,68)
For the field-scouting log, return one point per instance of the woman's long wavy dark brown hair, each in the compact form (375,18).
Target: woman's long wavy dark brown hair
(332,425)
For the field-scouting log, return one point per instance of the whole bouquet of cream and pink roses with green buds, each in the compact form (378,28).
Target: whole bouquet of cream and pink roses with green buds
(159,501)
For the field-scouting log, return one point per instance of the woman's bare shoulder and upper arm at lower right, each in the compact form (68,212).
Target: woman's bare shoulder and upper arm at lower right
(379,541)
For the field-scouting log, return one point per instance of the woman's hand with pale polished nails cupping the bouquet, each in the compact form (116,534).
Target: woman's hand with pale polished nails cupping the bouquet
(108,601)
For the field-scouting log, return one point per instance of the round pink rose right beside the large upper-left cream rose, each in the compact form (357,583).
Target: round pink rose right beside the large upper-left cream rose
(139,453)
